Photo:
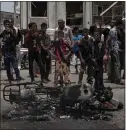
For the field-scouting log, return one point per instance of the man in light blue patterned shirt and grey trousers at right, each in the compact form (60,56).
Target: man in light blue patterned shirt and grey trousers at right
(113,49)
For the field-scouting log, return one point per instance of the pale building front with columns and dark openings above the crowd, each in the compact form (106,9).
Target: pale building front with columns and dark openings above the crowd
(75,13)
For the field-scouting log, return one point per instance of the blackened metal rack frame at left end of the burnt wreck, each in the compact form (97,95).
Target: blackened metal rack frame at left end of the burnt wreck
(12,92)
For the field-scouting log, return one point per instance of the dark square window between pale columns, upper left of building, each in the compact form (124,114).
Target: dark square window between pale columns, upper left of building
(39,9)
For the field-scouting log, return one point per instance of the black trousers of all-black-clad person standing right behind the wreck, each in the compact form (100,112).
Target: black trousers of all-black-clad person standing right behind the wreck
(99,85)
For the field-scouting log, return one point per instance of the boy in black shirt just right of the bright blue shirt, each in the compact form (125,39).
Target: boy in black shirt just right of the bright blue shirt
(86,53)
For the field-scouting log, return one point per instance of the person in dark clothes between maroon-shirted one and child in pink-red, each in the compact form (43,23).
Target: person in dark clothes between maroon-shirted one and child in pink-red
(46,57)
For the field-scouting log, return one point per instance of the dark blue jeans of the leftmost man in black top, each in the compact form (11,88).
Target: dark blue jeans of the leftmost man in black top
(10,59)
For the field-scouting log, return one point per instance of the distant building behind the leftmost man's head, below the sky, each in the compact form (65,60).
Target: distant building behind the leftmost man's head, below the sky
(8,15)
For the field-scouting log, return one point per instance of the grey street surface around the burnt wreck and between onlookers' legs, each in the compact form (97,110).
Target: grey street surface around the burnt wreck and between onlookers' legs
(116,123)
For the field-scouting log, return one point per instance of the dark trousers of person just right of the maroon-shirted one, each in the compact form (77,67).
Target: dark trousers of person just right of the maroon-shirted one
(46,59)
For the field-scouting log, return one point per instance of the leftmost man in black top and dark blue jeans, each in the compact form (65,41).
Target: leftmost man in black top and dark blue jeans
(9,50)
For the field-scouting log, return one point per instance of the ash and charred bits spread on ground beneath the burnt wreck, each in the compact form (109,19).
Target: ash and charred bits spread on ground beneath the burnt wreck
(48,110)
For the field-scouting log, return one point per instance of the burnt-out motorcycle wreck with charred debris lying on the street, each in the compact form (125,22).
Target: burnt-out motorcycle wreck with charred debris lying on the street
(58,104)
